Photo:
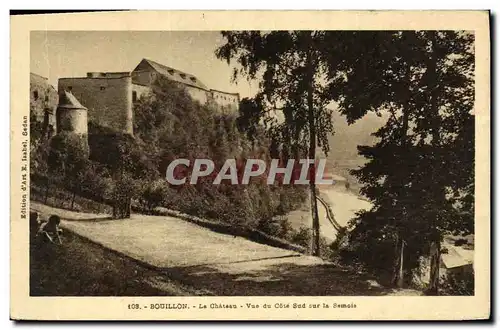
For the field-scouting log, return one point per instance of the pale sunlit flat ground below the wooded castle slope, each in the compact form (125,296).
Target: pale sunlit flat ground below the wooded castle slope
(166,242)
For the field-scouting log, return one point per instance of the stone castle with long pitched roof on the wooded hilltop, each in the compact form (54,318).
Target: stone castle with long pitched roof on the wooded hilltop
(109,96)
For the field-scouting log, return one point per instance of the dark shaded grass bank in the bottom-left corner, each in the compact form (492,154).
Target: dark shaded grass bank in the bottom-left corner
(81,268)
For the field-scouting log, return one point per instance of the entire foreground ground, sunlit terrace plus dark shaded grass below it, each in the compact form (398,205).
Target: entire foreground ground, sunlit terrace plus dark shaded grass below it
(151,255)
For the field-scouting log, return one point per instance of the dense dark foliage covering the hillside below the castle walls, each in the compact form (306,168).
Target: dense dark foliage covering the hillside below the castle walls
(169,125)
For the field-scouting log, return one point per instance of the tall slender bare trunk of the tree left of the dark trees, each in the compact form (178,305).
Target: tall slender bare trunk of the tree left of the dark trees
(312,154)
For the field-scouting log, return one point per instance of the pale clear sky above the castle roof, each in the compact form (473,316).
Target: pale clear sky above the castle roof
(58,54)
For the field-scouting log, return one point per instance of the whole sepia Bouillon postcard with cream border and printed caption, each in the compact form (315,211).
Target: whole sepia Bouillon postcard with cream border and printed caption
(250,165)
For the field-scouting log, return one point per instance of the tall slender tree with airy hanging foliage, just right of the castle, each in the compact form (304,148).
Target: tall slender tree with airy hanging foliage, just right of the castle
(297,72)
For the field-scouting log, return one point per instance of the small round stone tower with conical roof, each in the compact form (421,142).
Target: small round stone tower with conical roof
(71,116)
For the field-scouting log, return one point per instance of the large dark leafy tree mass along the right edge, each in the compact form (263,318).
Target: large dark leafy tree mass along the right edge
(420,174)
